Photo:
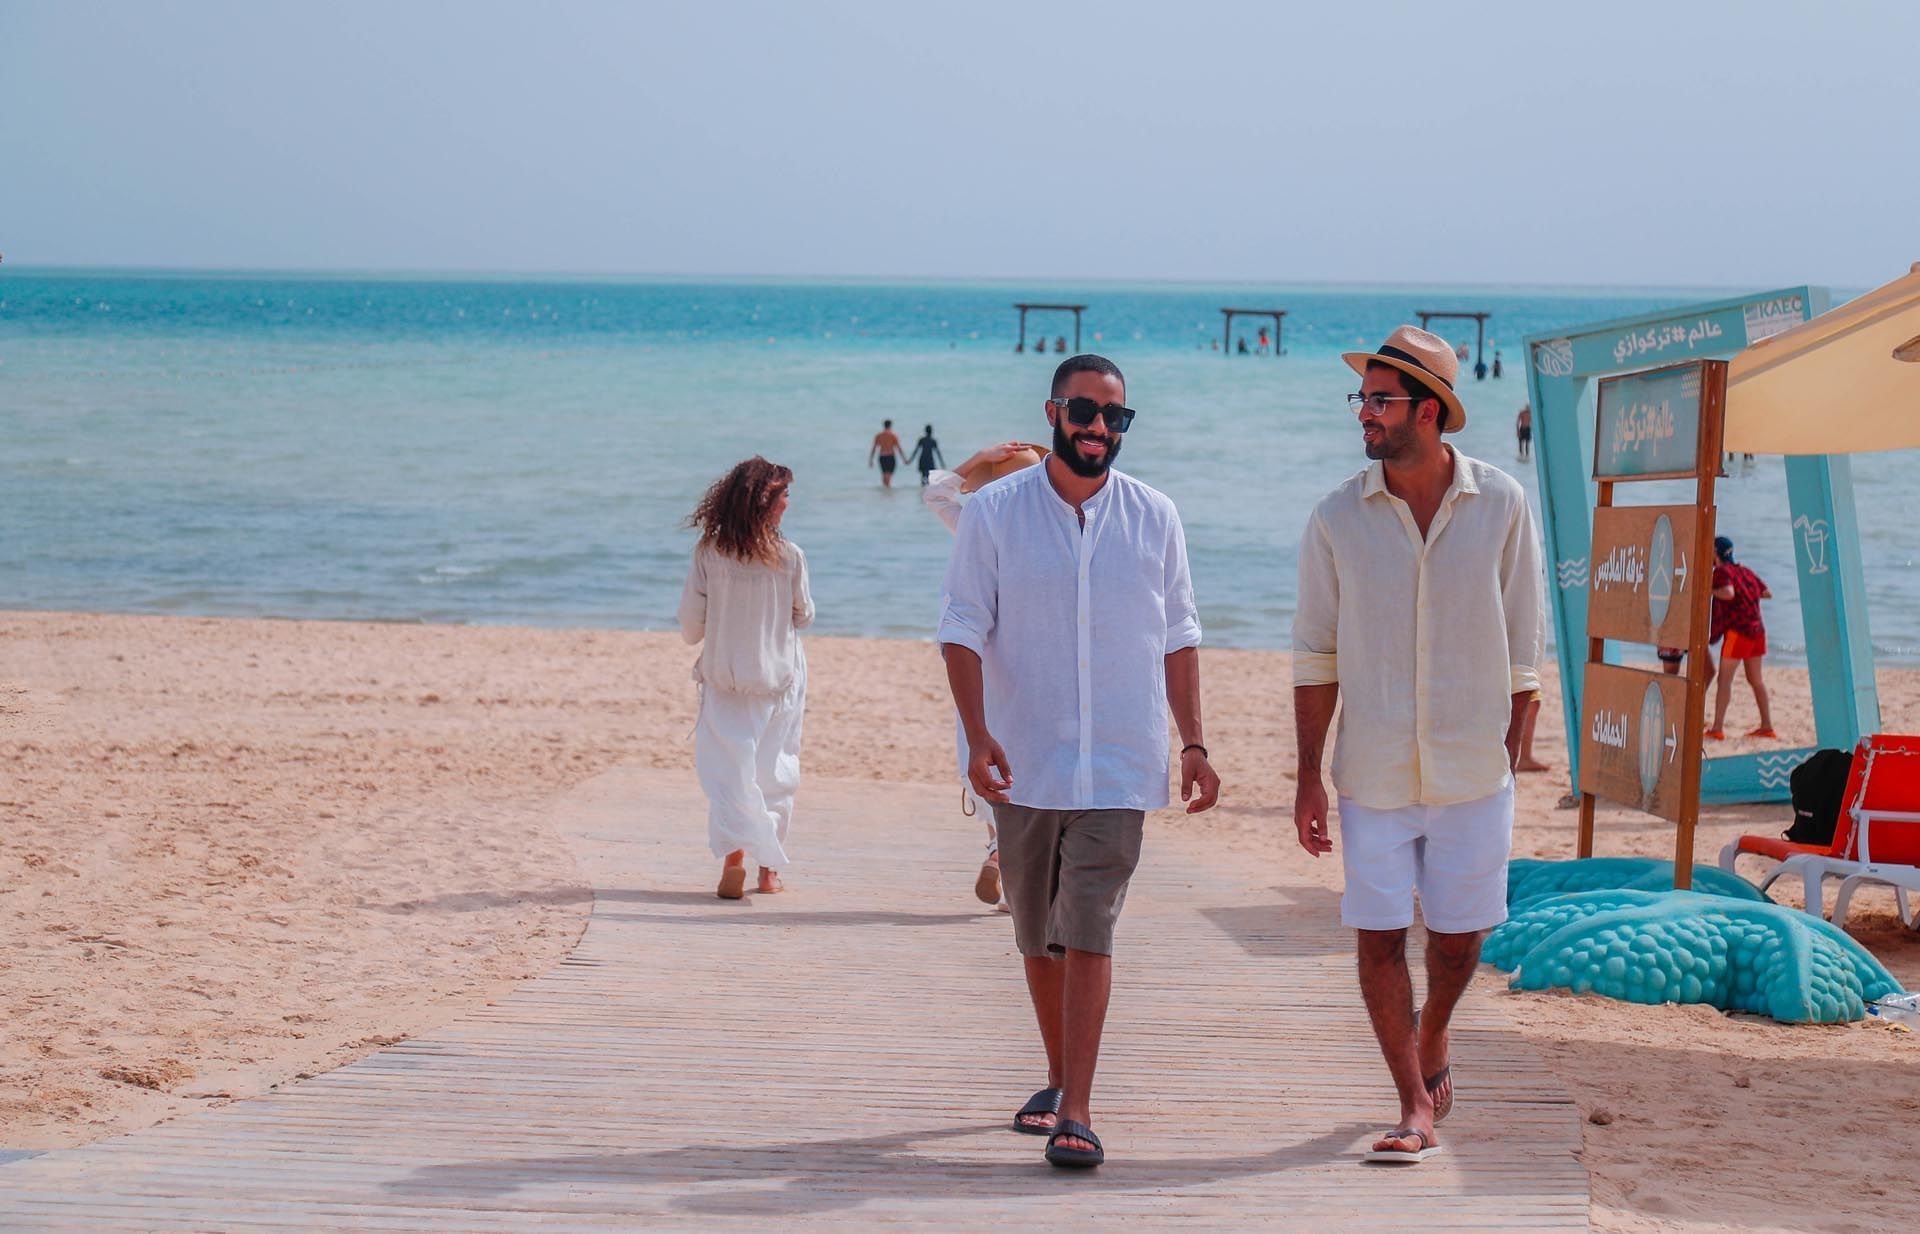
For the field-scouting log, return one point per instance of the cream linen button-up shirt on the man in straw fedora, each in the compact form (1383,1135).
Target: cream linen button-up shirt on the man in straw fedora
(1428,640)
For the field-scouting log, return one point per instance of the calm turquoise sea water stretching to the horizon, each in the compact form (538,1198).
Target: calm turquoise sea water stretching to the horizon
(523,452)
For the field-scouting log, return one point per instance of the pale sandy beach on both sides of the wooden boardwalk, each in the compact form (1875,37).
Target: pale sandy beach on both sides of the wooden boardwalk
(241,853)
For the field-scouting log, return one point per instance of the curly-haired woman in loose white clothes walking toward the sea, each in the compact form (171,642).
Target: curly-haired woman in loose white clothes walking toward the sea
(748,600)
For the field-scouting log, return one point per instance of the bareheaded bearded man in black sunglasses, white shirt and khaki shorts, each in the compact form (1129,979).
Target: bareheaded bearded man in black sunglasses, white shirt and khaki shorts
(1065,707)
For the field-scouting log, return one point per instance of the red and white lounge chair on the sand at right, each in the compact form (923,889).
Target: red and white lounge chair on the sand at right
(1877,838)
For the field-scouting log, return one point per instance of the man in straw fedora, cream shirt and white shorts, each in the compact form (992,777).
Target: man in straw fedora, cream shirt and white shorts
(1422,617)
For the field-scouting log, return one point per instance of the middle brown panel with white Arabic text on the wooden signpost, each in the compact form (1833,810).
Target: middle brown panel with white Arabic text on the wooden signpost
(1644,575)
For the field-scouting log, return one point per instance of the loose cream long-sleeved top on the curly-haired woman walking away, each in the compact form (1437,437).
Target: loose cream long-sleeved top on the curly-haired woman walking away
(750,615)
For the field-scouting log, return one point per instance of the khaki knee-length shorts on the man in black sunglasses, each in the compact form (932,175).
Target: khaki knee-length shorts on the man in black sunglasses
(1065,874)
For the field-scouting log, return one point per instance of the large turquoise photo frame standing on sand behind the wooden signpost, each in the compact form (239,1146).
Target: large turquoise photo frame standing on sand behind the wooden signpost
(1562,375)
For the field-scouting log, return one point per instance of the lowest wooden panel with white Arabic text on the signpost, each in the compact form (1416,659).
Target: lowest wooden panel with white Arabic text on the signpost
(1635,738)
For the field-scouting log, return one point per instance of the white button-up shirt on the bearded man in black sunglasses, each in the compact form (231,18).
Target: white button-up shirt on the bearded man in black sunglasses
(1072,629)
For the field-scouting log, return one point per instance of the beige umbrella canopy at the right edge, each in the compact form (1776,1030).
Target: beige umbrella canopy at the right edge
(1844,383)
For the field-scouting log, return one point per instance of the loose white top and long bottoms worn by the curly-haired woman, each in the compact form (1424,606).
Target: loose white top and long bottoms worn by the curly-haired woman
(754,696)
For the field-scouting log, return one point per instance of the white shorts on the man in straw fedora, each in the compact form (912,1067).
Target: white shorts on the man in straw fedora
(1454,855)
